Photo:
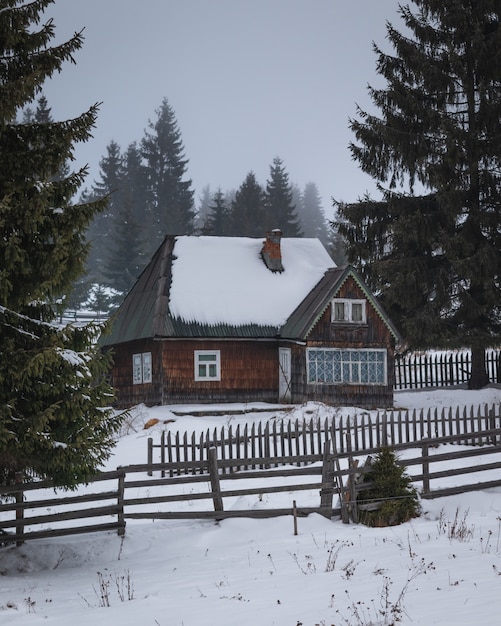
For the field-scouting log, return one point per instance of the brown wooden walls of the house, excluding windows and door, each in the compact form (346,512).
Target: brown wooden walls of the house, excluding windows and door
(249,369)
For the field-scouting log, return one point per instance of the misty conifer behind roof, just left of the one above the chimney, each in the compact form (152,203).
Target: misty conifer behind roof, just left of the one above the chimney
(248,209)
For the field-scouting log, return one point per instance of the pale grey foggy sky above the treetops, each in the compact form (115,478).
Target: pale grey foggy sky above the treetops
(248,80)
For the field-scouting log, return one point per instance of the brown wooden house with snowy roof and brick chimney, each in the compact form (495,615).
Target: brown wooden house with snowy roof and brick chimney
(235,319)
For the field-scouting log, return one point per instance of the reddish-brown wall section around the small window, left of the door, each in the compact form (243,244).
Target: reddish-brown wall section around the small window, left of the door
(249,372)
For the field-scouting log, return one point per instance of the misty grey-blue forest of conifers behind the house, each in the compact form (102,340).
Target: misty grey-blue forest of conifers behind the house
(150,195)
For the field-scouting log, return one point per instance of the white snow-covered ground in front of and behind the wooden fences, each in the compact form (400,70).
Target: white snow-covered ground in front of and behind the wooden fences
(442,568)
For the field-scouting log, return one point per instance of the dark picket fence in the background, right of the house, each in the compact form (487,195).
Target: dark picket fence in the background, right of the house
(442,369)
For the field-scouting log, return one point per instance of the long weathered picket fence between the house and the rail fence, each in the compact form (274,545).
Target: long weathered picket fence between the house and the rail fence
(304,439)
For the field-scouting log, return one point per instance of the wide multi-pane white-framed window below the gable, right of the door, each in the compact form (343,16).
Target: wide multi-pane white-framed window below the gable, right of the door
(336,366)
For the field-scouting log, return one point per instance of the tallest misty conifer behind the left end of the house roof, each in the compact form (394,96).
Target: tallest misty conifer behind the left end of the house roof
(171,205)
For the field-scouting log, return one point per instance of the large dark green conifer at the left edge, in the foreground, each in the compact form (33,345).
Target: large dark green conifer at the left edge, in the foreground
(53,420)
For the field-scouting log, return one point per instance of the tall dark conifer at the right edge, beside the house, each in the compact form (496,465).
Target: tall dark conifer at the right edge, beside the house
(434,255)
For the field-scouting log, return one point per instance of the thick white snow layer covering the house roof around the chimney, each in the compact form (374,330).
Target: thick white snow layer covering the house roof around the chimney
(223,280)
